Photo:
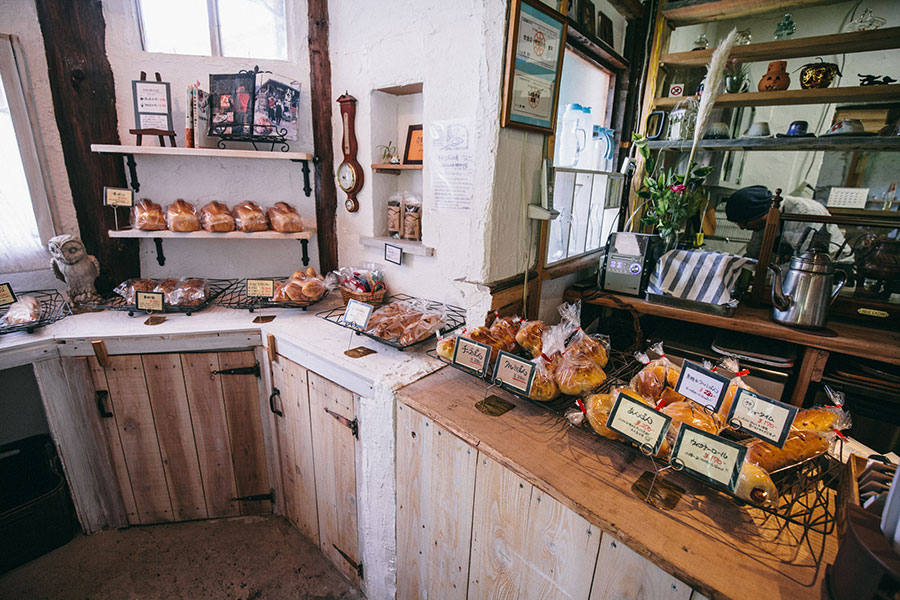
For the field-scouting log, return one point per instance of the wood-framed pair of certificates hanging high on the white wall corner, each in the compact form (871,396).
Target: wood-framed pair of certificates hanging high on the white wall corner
(535,43)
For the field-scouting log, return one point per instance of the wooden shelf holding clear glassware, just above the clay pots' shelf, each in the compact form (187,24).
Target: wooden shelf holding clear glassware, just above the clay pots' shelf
(839,43)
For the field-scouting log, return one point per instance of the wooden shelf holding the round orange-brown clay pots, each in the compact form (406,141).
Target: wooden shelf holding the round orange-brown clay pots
(872,93)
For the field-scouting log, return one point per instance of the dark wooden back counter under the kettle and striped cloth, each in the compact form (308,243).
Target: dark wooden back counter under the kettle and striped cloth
(843,338)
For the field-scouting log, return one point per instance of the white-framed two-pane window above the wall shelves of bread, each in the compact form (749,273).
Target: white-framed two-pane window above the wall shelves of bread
(237,28)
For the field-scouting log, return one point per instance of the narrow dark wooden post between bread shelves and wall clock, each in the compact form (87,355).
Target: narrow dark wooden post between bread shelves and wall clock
(322,105)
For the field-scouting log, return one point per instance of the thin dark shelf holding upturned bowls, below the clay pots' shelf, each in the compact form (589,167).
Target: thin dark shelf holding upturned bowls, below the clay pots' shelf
(837,144)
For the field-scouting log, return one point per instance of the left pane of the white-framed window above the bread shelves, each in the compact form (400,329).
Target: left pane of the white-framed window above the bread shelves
(175,26)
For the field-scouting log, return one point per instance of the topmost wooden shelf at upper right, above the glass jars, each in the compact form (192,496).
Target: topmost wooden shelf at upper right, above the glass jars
(687,12)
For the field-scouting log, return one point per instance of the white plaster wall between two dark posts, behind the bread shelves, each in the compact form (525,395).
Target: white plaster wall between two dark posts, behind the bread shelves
(199,180)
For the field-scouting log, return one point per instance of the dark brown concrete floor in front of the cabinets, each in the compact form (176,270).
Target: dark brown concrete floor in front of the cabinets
(244,558)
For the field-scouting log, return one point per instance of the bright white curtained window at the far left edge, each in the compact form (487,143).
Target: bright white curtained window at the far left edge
(20,242)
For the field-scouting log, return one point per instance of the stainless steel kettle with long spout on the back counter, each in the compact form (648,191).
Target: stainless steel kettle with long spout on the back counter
(801,297)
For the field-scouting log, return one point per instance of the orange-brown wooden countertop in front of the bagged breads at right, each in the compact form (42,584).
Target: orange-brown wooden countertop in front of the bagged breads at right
(717,547)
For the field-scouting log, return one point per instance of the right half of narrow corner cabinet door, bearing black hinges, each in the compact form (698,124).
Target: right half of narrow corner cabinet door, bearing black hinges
(334,451)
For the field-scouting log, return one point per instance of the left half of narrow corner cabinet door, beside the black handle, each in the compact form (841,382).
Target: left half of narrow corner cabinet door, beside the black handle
(295,452)
